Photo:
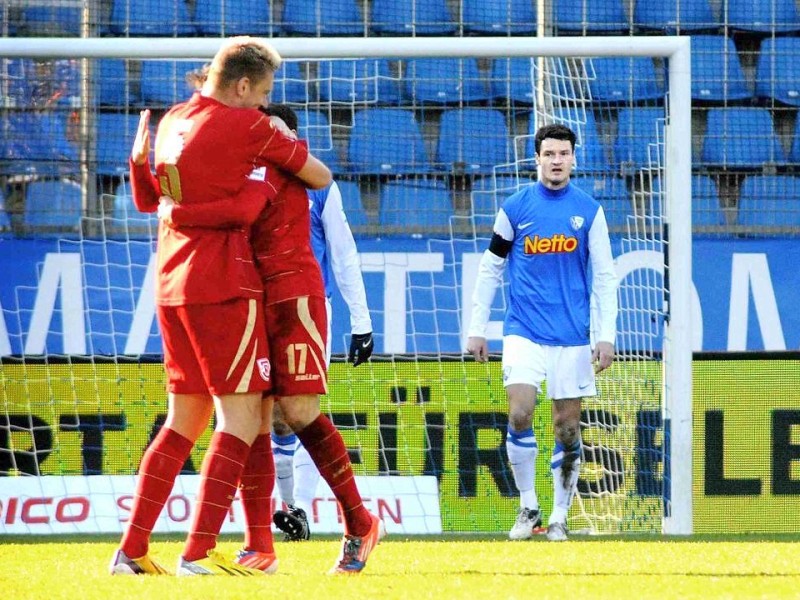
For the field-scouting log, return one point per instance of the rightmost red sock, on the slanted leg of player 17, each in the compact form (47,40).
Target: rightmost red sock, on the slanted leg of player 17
(326,447)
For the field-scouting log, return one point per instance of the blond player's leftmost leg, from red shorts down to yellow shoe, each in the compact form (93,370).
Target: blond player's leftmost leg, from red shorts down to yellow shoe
(188,416)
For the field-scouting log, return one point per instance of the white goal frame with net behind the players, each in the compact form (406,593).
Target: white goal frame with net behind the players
(426,137)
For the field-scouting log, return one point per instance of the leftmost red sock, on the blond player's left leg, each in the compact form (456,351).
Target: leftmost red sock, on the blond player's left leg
(161,464)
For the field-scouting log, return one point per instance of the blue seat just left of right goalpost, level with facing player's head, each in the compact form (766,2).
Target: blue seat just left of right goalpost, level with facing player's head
(639,129)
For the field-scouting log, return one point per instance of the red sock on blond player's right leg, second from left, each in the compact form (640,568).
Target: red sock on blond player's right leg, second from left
(222,468)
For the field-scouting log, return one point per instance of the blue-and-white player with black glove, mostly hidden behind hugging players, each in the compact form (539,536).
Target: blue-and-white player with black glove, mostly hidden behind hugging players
(335,249)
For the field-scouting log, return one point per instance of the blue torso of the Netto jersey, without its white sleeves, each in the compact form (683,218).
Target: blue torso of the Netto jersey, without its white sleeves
(548,266)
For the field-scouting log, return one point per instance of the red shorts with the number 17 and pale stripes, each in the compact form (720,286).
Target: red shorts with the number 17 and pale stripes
(297,330)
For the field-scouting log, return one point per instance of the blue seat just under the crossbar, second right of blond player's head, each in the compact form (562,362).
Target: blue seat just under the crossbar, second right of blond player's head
(368,81)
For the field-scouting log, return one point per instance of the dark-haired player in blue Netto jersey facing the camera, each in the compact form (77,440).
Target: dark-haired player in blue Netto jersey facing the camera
(552,239)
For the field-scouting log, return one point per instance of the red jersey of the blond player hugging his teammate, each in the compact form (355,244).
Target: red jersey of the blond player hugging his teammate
(204,152)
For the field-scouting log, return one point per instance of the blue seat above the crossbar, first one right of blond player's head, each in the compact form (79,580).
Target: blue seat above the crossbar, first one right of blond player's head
(322,17)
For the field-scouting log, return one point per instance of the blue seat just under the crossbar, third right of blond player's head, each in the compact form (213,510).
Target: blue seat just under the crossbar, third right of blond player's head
(444,80)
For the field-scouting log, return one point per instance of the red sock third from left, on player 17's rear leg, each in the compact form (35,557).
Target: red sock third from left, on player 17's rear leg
(255,490)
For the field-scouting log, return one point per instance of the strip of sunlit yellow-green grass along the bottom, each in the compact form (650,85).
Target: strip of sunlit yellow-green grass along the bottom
(427,569)
